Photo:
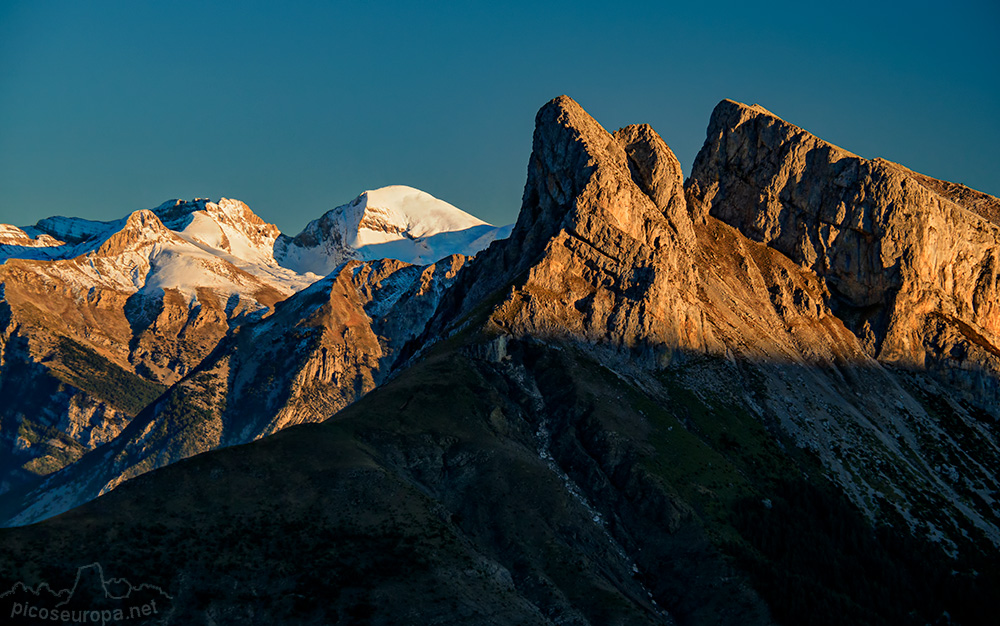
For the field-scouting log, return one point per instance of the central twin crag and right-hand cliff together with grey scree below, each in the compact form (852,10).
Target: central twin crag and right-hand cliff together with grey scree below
(611,256)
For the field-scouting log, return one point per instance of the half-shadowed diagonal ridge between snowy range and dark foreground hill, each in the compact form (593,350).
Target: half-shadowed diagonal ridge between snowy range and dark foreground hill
(319,351)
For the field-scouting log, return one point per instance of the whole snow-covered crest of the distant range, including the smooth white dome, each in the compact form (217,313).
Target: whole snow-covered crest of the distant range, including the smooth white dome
(191,244)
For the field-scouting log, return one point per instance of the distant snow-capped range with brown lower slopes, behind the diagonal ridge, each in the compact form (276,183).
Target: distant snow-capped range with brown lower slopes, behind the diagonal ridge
(100,317)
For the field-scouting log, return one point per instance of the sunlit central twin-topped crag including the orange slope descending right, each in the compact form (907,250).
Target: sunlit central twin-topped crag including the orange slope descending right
(625,262)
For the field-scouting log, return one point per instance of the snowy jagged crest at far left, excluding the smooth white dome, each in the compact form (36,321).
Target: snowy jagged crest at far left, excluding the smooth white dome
(185,246)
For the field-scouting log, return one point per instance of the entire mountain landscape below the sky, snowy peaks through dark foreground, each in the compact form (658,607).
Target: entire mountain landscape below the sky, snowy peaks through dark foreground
(764,394)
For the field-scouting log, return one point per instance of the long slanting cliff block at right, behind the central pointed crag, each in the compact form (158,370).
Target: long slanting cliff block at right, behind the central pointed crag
(912,263)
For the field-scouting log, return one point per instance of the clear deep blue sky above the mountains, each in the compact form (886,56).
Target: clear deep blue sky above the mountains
(294,108)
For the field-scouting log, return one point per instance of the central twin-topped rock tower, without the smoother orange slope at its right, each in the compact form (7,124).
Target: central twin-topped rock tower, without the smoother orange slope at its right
(598,209)
